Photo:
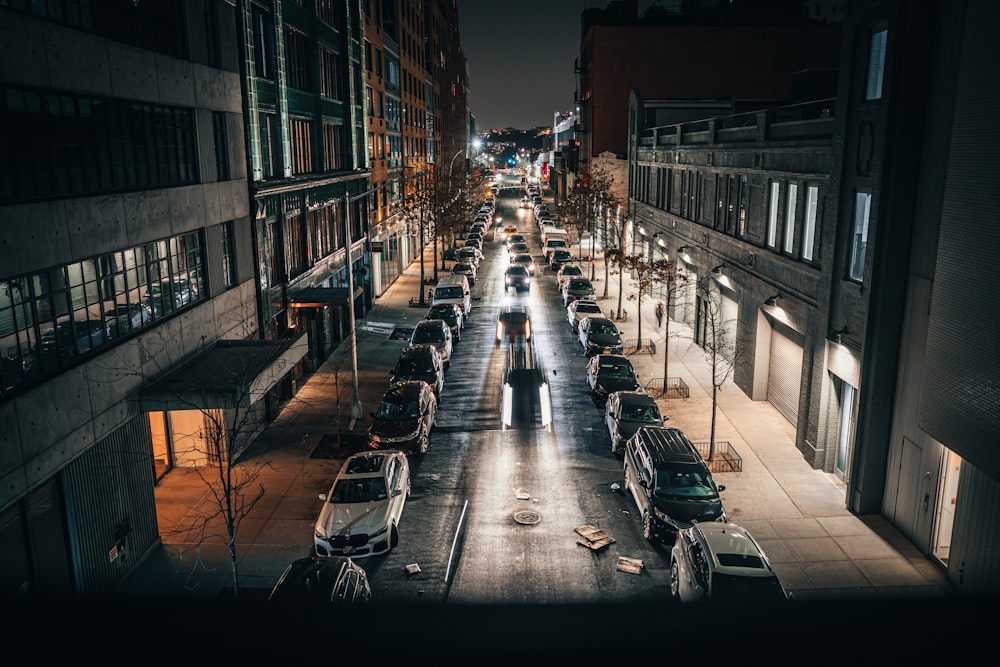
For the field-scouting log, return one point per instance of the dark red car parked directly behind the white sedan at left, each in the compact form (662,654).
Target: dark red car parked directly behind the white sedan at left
(404,417)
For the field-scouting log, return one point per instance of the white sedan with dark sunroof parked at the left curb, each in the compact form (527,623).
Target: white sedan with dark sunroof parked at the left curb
(361,511)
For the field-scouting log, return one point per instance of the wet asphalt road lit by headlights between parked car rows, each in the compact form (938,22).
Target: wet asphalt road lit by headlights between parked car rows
(493,513)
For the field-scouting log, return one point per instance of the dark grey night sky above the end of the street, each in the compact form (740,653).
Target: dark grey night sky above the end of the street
(521,55)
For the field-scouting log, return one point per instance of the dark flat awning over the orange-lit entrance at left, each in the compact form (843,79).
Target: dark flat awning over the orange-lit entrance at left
(230,374)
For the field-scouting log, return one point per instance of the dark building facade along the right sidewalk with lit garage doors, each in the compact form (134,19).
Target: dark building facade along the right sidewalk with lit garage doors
(828,238)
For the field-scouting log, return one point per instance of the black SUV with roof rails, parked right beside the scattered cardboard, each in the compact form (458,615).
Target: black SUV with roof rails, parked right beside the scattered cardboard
(670,483)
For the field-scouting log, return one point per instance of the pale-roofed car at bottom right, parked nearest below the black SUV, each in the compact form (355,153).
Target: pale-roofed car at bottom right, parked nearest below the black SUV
(722,563)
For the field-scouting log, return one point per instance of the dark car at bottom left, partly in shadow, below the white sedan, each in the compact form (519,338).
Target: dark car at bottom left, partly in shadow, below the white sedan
(336,580)
